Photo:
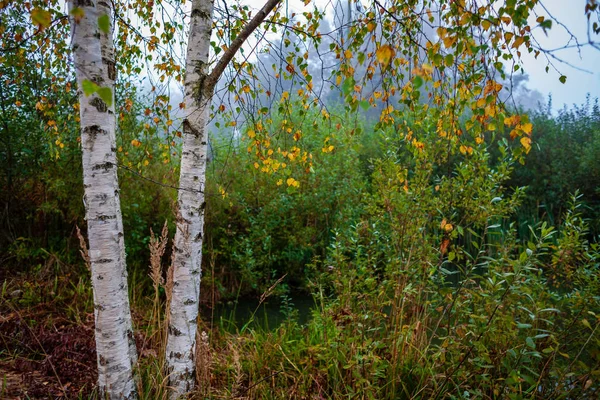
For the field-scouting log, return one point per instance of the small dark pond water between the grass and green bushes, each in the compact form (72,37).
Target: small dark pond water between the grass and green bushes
(243,313)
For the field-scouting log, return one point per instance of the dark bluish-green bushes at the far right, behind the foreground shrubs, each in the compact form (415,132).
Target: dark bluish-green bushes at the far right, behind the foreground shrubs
(564,159)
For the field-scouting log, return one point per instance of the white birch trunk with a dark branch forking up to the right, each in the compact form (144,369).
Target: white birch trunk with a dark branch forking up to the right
(199,86)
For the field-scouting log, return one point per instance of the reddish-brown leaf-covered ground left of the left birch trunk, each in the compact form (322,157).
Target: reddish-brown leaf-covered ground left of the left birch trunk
(44,352)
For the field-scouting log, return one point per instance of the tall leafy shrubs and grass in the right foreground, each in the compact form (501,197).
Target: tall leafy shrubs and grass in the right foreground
(430,293)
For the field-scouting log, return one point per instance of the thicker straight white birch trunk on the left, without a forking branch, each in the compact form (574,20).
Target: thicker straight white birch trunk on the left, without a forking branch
(114,335)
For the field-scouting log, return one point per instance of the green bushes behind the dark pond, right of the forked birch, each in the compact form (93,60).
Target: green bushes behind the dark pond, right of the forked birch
(261,226)
